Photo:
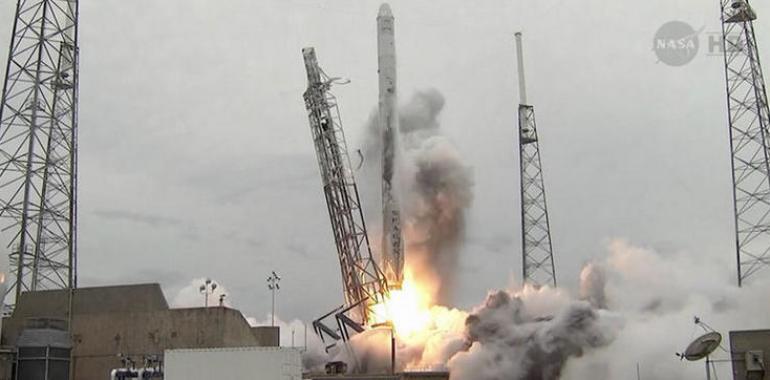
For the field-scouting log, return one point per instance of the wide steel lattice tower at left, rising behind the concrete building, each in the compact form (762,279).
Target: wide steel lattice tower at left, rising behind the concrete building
(38,146)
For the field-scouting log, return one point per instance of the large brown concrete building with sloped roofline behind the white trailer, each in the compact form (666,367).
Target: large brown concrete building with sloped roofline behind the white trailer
(134,321)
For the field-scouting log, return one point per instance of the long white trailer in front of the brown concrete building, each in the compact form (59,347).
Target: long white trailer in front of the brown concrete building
(242,363)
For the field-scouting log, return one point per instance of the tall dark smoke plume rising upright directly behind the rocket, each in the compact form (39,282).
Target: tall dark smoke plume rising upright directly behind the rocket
(436,190)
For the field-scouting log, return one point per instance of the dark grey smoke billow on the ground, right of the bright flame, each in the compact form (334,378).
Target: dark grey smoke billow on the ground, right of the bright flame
(509,344)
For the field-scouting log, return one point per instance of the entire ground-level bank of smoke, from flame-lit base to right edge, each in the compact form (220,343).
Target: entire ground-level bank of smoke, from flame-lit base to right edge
(634,307)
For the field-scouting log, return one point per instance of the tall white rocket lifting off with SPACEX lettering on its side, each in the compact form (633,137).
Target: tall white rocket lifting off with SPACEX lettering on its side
(392,240)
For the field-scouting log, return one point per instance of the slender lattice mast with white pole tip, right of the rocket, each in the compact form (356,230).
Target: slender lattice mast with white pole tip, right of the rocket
(537,254)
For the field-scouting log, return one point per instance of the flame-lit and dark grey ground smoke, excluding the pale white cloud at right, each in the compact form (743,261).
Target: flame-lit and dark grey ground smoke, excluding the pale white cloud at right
(524,334)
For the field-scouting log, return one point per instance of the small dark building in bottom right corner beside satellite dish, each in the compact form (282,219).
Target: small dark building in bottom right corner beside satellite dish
(750,351)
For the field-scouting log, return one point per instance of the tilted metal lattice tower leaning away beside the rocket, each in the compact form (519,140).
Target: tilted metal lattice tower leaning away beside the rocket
(363,282)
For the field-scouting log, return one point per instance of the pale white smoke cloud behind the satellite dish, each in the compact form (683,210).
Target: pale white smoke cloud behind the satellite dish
(658,294)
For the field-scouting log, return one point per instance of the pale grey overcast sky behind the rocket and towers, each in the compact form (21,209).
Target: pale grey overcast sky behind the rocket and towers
(196,158)
